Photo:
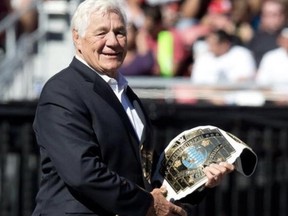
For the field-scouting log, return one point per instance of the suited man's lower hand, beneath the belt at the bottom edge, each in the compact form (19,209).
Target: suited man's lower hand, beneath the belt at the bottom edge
(162,207)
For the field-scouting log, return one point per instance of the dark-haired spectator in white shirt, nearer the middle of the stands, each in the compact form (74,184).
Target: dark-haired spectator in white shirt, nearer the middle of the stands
(223,63)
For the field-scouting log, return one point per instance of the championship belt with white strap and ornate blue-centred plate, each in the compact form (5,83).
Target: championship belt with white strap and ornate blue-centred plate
(180,168)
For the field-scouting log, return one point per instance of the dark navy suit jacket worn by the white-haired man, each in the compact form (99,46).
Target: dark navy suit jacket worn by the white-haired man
(92,161)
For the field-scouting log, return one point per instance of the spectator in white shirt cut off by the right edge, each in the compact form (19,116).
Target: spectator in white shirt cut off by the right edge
(273,68)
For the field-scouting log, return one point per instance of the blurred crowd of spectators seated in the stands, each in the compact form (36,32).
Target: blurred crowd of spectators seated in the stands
(210,41)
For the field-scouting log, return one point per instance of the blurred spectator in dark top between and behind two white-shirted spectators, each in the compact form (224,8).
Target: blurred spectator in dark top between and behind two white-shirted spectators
(272,20)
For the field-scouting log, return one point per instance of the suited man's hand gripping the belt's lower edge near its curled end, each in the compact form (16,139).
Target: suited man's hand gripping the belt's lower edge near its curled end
(216,172)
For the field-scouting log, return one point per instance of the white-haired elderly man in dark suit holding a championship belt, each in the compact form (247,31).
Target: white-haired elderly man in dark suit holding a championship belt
(93,134)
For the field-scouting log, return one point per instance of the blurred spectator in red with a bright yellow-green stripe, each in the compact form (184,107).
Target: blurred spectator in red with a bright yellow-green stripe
(166,43)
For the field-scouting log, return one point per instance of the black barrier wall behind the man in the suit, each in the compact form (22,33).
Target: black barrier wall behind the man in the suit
(265,129)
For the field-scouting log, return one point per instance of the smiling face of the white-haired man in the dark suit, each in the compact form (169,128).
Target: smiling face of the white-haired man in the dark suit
(104,44)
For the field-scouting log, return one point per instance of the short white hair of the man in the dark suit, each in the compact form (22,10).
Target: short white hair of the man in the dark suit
(81,17)
